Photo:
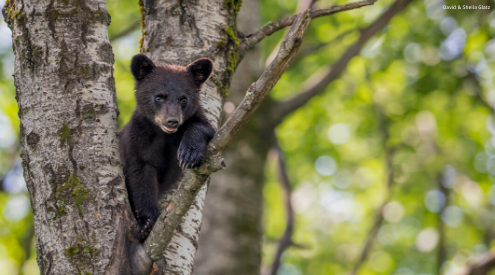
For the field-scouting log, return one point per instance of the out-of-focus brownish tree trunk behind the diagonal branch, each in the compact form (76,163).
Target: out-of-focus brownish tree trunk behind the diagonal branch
(230,240)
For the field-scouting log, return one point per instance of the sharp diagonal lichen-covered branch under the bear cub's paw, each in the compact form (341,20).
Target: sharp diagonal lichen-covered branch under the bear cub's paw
(194,179)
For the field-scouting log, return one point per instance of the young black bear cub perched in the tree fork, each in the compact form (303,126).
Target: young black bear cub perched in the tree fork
(167,132)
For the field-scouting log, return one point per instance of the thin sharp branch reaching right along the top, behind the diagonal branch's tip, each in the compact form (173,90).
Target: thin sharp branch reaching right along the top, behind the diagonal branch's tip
(270,28)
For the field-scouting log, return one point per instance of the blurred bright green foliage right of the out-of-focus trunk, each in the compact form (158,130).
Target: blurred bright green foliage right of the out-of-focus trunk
(436,115)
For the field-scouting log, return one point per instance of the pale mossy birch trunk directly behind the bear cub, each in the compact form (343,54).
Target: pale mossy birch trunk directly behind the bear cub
(178,32)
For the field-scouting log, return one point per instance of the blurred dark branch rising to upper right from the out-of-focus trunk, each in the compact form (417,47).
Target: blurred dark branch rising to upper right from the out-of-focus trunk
(286,107)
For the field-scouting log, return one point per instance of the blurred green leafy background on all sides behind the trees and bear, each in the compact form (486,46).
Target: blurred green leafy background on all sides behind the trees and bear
(398,152)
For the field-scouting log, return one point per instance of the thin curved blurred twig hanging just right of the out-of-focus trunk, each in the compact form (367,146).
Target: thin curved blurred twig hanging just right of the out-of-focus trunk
(286,240)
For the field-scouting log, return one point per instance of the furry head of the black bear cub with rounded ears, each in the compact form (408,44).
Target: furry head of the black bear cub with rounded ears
(168,95)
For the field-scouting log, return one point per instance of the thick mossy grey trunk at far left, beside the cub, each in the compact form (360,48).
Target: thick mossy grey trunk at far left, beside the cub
(66,97)
